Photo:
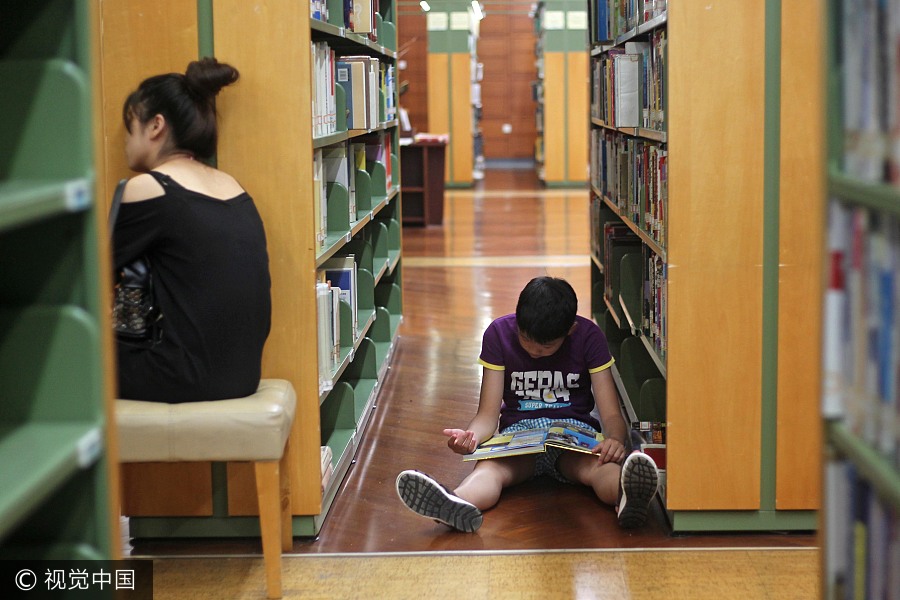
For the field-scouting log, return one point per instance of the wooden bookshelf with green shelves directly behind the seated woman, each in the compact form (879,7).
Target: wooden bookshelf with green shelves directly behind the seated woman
(262,118)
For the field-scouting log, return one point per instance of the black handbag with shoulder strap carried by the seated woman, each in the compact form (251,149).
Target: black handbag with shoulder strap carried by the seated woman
(135,314)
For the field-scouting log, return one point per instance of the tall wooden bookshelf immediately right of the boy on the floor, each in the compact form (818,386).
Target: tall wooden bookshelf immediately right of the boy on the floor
(733,369)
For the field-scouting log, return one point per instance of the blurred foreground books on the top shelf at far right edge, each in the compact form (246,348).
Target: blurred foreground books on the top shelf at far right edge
(870,53)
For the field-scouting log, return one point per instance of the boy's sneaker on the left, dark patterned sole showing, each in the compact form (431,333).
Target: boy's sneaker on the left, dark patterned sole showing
(425,496)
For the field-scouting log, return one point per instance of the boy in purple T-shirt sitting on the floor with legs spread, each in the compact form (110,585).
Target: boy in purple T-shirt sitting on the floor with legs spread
(541,365)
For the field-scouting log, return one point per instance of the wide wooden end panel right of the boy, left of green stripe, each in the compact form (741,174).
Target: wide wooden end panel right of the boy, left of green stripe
(716,120)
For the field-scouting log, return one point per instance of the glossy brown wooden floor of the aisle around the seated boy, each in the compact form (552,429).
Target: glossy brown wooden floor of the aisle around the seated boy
(456,278)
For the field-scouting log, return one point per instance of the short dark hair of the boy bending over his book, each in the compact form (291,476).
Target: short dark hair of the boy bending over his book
(546,309)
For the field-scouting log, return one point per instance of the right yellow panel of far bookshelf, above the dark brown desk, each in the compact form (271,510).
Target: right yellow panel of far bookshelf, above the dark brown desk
(461,143)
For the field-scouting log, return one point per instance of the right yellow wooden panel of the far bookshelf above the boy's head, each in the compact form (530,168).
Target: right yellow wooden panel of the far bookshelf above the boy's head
(577,115)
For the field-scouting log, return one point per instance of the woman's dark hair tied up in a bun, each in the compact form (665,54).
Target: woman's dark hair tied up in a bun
(186,101)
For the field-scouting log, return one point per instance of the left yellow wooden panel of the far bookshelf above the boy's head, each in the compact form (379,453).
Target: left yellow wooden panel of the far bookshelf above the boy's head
(554,100)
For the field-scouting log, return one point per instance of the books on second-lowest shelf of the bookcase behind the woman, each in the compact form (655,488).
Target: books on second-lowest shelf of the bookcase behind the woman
(336,284)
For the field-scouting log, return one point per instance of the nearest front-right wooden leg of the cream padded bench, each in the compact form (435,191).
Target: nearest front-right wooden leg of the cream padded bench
(268,491)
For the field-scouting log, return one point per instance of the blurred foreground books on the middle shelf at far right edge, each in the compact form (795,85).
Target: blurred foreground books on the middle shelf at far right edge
(861,343)
